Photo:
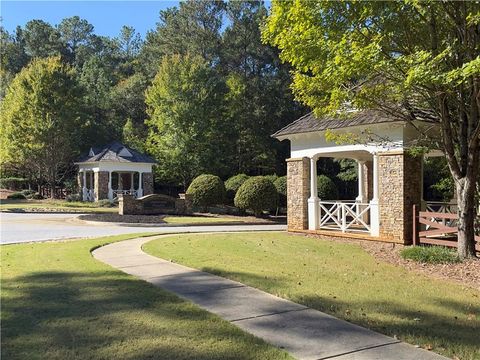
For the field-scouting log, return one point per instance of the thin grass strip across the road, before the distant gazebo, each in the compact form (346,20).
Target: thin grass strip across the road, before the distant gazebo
(54,205)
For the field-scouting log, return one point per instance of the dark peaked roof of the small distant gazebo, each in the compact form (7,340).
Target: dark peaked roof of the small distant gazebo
(113,153)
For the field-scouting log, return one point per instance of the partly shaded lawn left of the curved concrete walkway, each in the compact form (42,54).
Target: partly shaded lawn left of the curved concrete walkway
(58,302)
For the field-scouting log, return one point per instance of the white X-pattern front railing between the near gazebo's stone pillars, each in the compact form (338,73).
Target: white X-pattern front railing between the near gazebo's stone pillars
(345,216)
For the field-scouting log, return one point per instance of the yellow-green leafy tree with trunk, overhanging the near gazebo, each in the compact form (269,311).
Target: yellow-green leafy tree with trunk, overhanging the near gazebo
(414,60)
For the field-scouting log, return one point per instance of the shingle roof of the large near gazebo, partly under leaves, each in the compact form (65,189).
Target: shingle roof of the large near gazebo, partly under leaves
(310,123)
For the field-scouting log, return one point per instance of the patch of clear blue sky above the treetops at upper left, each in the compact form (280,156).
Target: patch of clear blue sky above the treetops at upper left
(106,16)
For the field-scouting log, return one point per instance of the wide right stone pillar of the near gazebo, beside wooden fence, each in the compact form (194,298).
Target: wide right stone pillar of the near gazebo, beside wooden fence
(399,189)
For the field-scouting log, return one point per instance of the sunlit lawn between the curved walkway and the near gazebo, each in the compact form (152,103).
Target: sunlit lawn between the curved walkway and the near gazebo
(340,279)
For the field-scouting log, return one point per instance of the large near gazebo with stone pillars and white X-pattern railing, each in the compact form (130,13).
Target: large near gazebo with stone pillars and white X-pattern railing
(390,179)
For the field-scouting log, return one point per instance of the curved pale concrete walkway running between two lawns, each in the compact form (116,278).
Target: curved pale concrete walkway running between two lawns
(303,332)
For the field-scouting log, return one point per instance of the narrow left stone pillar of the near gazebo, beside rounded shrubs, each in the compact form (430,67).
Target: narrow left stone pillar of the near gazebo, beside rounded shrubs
(298,183)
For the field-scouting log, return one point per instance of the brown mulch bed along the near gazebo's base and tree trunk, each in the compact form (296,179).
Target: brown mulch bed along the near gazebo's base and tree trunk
(466,273)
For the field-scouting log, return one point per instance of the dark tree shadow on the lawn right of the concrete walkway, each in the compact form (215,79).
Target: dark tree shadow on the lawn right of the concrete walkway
(393,318)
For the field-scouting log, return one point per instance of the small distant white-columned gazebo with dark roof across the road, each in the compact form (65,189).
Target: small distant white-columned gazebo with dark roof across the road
(114,169)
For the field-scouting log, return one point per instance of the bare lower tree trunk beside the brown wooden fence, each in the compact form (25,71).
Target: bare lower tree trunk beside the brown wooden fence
(466,217)
